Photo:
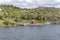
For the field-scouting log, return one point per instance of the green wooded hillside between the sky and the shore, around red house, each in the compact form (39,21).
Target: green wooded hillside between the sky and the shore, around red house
(12,15)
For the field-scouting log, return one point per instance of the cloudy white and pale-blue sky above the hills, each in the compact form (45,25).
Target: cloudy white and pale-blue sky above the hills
(32,3)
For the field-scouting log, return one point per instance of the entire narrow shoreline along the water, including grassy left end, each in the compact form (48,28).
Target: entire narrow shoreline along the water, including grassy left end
(29,24)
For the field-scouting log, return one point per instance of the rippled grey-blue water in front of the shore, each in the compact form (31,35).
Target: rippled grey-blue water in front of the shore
(45,32)
